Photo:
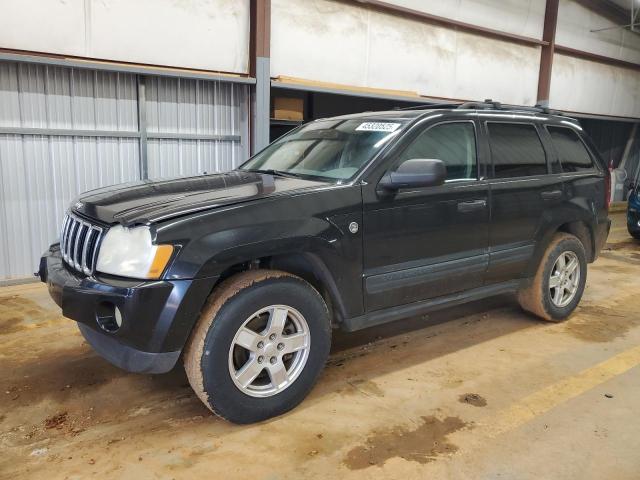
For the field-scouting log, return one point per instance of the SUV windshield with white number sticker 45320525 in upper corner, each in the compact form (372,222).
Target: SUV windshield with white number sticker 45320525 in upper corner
(329,149)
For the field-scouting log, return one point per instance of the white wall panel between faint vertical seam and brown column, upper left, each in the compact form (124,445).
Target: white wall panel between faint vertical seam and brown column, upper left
(205,34)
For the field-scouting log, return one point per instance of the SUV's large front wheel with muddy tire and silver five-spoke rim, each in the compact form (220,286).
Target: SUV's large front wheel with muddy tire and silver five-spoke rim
(249,309)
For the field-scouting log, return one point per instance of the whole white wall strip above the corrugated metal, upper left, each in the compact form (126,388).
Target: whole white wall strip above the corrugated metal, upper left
(200,34)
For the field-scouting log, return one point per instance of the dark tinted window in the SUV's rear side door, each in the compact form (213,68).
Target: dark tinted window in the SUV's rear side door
(516,150)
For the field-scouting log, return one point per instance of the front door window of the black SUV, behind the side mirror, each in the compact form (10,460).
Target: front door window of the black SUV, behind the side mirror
(453,143)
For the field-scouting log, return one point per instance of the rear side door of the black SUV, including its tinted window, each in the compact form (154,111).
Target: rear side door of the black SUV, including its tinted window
(526,185)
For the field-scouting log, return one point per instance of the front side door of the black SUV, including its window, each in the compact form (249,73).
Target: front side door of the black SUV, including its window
(428,242)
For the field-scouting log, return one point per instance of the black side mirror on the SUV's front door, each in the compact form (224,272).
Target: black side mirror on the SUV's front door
(415,173)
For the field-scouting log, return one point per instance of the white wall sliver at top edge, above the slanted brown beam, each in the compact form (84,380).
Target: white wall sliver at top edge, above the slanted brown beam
(520,17)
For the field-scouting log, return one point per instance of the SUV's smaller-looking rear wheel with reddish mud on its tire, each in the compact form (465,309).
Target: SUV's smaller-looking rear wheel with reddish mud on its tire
(538,297)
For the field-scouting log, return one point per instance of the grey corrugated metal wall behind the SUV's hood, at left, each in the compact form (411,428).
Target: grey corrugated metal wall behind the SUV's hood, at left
(64,131)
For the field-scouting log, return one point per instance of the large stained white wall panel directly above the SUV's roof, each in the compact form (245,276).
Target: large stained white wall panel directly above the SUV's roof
(356,46)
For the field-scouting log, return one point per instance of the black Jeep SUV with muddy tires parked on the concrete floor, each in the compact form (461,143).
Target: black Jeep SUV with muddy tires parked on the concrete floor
(345,222)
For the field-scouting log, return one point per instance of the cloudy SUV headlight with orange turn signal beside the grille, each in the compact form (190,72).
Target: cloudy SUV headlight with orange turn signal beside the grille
(129,252)
